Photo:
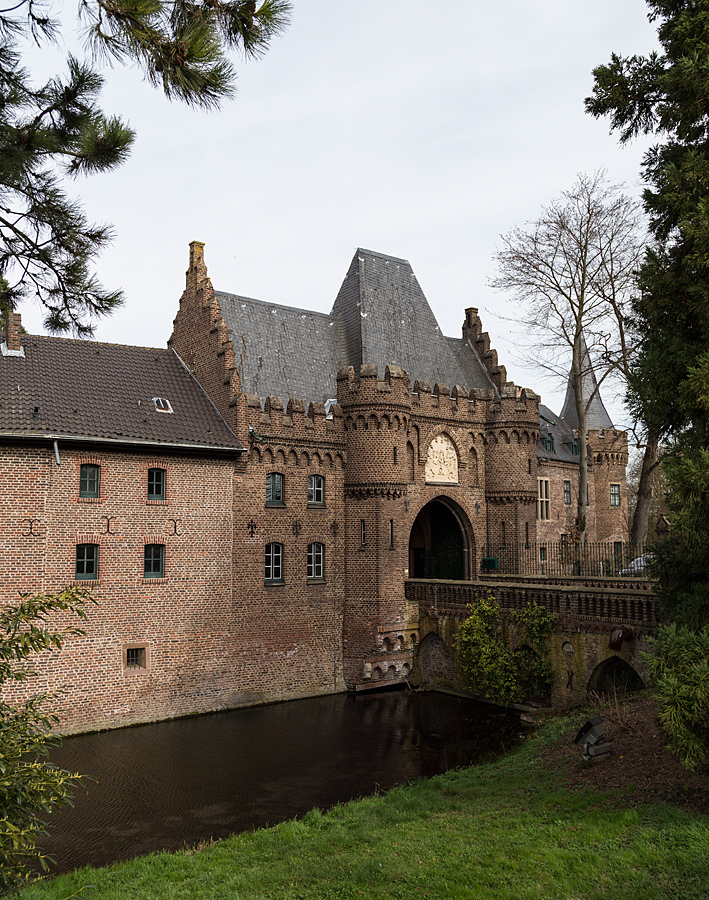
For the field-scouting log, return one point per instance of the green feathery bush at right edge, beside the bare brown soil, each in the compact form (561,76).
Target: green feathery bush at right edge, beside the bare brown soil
(678,663)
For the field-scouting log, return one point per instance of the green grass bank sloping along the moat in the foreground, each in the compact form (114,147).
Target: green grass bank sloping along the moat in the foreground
(509,830)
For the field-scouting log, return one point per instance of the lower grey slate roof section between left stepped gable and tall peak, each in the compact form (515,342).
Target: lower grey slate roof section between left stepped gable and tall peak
(282,351)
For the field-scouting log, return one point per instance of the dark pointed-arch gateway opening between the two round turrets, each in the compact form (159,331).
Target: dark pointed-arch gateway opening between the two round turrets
(441,542)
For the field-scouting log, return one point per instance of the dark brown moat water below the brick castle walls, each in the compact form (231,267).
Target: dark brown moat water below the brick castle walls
(172,784)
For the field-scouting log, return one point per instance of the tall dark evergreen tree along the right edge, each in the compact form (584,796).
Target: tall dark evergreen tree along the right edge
(665,94)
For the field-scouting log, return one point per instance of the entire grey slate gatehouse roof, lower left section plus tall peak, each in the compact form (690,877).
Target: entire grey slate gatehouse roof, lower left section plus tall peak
(380,316)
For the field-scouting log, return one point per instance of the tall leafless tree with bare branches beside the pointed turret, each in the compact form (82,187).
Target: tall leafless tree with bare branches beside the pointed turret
(573,272)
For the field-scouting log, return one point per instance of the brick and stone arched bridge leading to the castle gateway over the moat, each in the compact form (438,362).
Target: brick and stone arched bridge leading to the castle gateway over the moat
(589,610)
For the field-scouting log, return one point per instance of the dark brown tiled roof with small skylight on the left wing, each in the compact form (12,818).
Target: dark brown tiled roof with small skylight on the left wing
(90,391)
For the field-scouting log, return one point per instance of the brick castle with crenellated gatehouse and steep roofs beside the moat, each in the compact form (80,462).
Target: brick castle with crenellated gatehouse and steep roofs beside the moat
(248,504)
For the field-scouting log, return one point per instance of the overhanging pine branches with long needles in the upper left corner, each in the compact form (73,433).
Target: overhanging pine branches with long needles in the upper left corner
(57,130)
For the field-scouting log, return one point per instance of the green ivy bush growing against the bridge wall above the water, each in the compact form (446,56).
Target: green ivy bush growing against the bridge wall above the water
(491,668)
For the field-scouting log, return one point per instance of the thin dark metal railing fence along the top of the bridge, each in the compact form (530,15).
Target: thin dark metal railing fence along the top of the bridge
(598,559)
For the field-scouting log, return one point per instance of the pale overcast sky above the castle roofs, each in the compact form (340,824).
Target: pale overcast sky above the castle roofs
(417,129)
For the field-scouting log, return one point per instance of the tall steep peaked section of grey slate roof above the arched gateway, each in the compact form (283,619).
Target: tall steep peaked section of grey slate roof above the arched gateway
(387,321)
